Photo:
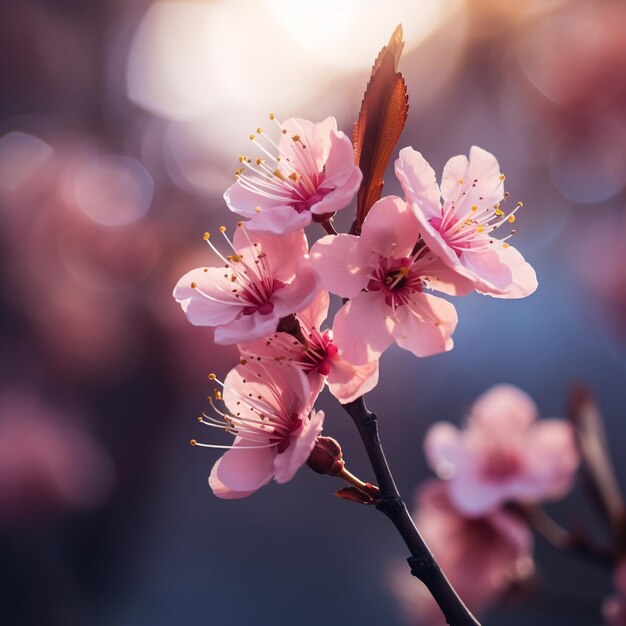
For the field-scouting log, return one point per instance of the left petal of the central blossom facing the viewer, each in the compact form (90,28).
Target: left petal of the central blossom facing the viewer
(341,264)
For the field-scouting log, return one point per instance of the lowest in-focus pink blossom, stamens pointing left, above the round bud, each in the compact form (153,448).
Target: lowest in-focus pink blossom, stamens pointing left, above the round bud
(270,412)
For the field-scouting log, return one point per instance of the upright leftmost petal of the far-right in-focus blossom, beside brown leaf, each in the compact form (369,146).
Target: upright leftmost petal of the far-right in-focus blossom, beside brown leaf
(418,181)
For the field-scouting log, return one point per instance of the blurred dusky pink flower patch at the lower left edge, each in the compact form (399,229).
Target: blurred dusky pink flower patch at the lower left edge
(46,462)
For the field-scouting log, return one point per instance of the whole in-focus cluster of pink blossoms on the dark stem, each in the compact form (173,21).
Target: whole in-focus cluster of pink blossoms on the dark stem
(270,294)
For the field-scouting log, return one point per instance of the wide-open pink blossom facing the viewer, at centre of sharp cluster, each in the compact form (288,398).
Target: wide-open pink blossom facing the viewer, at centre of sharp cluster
(385,261)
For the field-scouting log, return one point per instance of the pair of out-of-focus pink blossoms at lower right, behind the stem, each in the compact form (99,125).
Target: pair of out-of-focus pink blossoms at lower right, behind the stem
(493,474)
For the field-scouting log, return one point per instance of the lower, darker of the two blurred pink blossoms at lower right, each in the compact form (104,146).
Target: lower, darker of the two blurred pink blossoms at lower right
(482,556)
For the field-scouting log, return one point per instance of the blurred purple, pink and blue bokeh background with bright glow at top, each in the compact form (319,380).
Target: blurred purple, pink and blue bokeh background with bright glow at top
(120,126)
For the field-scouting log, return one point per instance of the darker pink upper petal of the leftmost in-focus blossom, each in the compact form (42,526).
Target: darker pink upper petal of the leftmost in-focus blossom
(281,252)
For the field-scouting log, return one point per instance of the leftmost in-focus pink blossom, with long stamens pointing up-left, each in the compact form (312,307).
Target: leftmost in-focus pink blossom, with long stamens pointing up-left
(265,278)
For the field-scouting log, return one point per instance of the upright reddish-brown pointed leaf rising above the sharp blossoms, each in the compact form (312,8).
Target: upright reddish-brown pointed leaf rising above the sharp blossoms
(379,125)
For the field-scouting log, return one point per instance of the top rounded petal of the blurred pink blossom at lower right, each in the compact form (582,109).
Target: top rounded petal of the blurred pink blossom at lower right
(504,408)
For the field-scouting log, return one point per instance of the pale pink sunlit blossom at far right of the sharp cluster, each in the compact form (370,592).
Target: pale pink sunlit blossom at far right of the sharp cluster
(460,230)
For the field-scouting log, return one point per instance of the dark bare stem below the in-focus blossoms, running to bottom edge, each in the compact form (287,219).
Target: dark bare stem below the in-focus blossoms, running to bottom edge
(422,562)
